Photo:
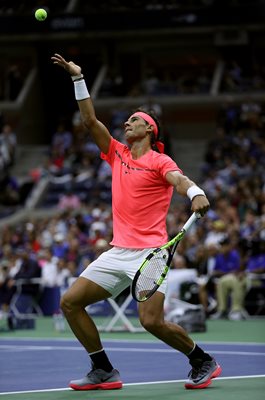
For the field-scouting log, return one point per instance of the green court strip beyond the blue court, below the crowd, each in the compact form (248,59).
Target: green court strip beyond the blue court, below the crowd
(251,330)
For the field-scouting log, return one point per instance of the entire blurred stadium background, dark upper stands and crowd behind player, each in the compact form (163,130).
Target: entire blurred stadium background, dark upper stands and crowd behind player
(198,63)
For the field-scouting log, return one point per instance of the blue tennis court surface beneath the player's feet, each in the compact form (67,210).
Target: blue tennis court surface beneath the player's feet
(38,364)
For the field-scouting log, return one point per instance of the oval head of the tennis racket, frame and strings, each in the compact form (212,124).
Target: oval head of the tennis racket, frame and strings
(150,275)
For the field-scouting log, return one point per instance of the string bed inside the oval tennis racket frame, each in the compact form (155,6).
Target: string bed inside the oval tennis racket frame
(150,275)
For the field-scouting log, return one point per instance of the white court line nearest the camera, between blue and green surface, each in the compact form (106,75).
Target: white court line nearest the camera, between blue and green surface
(133,384)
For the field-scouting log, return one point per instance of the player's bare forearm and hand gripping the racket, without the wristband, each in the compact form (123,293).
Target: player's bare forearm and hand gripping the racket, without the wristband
(182,183)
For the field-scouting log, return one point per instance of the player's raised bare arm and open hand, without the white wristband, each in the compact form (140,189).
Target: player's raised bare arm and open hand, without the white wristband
(97,129)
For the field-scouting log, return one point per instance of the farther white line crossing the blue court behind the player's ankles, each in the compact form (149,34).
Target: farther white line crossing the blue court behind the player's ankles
(121,349)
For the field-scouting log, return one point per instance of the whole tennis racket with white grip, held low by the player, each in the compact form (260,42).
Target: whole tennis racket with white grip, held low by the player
(155,267)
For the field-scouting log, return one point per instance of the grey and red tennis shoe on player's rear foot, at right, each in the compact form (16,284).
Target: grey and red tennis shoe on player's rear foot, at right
(202,373)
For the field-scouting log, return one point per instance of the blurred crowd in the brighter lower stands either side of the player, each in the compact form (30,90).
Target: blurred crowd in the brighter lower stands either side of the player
(221,253)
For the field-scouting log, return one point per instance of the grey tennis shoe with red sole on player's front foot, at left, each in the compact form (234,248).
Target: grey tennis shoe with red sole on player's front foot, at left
(98,379)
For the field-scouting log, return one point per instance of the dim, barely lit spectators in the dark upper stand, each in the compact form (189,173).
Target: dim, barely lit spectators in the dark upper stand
(184,75)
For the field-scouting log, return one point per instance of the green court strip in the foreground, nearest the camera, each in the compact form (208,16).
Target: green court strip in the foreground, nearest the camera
(228,389)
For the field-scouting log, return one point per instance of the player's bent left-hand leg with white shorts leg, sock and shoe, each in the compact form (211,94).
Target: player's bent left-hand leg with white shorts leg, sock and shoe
(88,289)
